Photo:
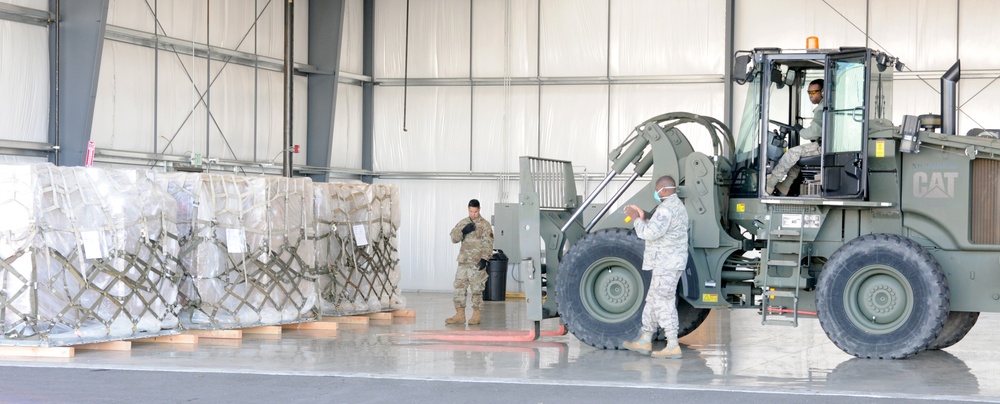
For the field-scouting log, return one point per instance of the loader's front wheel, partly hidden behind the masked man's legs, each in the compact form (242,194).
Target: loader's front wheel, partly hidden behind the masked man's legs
(601,290)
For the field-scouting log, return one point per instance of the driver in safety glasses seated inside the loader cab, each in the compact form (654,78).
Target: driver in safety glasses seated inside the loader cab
(779,175)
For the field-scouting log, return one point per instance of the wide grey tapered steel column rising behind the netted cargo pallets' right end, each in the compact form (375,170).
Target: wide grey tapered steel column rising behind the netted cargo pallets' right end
(326,22)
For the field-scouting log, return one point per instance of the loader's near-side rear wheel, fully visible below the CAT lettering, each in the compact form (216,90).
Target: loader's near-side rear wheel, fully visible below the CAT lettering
(882,296)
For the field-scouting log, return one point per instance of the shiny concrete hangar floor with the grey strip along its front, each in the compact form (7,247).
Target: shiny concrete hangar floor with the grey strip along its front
(730,358)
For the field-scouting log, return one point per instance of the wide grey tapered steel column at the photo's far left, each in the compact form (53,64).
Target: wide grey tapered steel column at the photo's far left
(76,42)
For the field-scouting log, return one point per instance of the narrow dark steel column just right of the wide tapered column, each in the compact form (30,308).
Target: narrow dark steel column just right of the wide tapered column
(368,92)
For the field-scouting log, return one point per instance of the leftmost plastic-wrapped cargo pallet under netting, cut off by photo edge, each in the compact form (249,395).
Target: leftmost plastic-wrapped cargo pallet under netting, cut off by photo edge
(84,256)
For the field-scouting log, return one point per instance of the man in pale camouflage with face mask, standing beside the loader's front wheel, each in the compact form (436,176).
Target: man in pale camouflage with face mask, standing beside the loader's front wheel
(666,253)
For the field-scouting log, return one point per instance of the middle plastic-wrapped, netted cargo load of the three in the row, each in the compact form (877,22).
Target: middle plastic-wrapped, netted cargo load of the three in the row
(246,249)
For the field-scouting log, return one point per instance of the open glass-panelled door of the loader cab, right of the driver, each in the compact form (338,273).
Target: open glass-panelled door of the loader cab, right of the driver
(845,125)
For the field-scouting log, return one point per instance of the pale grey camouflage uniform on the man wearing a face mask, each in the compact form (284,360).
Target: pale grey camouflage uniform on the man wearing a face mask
(666,255)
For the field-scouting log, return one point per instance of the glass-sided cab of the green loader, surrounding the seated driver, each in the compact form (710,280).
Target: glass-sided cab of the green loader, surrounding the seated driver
(857,87)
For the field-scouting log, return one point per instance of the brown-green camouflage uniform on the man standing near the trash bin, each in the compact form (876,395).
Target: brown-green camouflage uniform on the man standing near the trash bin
(475,246)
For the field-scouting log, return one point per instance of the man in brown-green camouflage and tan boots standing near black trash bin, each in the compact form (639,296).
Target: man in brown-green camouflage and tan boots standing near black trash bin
(476,237)
